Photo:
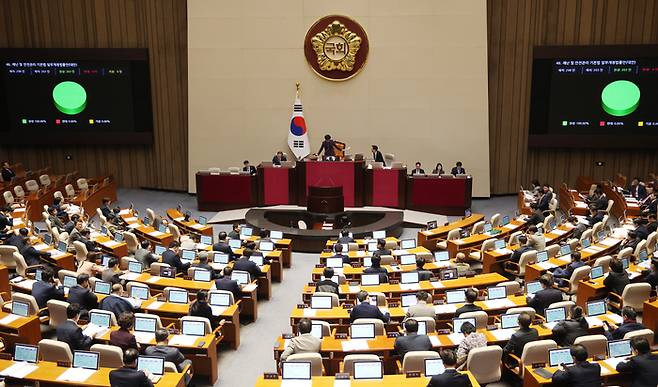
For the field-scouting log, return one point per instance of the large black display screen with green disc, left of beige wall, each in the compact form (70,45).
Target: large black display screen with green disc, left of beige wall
(75,96)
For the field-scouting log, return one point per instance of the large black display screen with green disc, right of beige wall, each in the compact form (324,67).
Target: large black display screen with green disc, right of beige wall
(595,96)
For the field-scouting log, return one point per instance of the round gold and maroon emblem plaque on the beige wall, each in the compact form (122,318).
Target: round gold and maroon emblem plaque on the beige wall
(336,47)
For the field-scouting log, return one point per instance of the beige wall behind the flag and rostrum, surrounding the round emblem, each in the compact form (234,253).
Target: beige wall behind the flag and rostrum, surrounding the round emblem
(422,95)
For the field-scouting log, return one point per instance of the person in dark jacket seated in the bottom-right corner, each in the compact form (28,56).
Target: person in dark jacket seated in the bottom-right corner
(643,366)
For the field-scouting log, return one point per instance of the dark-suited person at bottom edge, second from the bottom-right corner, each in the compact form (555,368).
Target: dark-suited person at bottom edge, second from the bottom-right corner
(582,373)
